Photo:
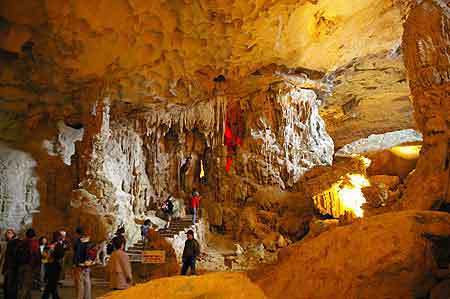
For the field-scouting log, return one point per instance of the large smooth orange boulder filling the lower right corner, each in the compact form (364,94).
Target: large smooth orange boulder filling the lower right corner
(384,256)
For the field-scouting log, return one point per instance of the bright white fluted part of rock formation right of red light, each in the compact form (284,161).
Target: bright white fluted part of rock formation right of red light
(303,141)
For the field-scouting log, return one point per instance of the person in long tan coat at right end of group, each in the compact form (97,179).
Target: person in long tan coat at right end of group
(119,267)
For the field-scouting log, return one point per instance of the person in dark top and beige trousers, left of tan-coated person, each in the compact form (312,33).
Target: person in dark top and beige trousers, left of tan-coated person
(81,272)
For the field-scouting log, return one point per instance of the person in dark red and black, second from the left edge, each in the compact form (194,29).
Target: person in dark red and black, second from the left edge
(28,257)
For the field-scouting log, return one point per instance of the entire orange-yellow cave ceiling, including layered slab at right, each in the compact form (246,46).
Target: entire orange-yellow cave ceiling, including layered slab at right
(182,51)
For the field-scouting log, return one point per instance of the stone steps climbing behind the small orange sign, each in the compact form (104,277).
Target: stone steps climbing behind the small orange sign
(176,226)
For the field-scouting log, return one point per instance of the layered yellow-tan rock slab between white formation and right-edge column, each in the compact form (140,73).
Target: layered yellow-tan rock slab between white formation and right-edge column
(370,96)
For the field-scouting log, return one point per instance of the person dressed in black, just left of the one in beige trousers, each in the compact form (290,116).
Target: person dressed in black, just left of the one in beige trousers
(53,266)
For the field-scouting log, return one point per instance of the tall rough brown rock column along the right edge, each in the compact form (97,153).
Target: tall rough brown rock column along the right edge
(426,46)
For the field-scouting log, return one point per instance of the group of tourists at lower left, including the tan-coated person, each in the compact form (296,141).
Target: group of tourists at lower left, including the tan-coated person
(29,263)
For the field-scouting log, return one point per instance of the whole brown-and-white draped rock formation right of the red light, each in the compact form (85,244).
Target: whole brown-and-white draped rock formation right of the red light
(282,136)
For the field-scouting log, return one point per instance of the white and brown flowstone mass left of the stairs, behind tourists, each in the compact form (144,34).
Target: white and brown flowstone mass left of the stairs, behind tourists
(114,188)
